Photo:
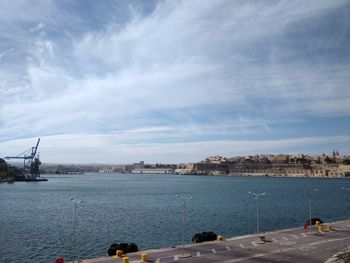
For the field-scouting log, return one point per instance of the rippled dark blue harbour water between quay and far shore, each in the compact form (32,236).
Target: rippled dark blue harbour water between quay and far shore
(37,219)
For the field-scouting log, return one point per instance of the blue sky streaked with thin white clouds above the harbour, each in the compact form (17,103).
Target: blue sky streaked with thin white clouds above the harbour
(173,81)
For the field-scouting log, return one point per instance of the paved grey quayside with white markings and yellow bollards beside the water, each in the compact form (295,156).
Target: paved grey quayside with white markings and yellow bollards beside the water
(289,245)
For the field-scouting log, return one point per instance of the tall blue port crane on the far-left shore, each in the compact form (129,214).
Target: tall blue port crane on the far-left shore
(31,161)
